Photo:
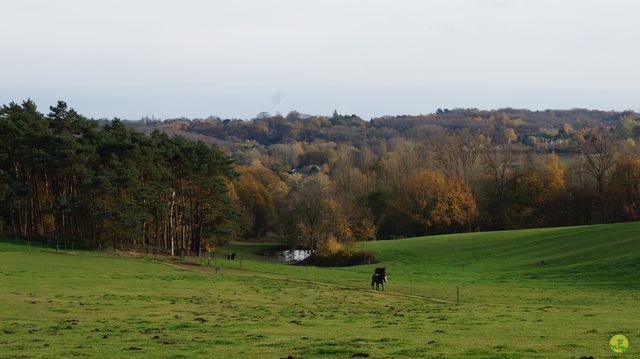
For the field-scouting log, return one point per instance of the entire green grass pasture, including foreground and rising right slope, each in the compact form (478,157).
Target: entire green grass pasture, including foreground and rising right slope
(481,295)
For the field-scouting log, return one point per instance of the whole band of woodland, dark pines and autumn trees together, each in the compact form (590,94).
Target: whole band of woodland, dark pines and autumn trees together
(188,185)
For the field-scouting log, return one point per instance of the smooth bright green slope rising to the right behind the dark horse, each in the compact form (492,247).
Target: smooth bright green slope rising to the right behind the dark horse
(606,256)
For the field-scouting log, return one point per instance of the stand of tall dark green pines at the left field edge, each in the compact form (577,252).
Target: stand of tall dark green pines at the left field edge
(76,180)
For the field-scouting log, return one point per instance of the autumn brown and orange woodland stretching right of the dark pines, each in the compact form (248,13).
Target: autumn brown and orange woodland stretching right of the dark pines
(448,171)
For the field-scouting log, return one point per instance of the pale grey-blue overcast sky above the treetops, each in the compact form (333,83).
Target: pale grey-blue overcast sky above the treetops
(238,58)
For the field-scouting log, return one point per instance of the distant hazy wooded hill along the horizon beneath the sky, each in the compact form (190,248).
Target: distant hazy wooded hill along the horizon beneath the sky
(530,127)
